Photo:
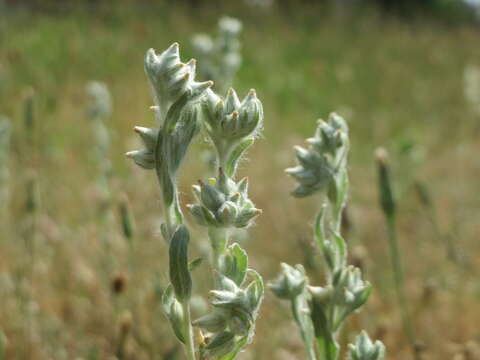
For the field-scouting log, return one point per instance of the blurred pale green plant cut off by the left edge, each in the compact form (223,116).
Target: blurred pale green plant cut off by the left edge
(5,134)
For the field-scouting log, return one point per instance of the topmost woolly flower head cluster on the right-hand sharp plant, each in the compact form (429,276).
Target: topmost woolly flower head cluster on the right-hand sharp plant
(324,160)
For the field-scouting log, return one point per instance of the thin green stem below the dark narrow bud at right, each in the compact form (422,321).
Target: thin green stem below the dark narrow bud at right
(399,281)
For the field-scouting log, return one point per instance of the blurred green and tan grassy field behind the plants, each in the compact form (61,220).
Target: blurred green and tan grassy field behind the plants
(399,83)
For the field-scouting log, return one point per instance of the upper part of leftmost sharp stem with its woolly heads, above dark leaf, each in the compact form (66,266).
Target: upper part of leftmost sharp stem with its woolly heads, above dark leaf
(176,95)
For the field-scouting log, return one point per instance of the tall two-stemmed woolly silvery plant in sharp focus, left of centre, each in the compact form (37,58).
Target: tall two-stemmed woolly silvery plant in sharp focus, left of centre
(184,107)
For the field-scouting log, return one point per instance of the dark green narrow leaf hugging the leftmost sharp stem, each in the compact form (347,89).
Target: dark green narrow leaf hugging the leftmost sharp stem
(179,271)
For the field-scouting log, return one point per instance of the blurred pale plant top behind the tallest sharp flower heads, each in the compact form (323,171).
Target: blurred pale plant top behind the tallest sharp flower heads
(220,58)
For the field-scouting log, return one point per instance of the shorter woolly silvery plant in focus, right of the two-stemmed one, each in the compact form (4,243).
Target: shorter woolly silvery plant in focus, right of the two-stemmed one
(321,311)
